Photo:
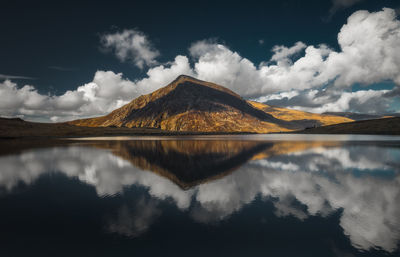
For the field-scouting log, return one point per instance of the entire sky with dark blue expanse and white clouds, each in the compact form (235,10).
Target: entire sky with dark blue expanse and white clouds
(72,59)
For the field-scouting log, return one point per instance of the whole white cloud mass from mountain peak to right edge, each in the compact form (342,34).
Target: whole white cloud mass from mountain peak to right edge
(370,53)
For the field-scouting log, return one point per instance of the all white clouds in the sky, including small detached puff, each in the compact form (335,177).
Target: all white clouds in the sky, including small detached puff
(307,77)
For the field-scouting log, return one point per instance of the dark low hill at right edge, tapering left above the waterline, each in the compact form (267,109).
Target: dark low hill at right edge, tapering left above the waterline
(384,126)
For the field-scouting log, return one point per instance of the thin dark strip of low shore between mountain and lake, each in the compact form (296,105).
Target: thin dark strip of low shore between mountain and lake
(19,129)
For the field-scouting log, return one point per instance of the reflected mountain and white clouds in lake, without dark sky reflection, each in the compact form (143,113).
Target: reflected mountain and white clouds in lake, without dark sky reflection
(212,181)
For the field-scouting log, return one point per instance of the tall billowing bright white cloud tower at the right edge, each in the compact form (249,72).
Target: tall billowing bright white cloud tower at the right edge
(370,44)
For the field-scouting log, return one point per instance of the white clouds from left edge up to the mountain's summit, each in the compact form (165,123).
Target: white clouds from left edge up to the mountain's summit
(106,92)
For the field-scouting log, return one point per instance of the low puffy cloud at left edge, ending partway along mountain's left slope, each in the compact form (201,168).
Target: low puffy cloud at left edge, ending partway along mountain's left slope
(102,95)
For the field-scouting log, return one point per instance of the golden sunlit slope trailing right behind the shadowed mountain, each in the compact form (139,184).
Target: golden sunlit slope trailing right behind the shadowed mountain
(293,115)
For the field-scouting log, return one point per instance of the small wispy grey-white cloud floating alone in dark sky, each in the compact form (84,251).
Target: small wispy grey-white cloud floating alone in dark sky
(131,45)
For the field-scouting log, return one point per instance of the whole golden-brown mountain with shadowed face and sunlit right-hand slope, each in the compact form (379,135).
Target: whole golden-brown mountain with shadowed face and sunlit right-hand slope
(189,104)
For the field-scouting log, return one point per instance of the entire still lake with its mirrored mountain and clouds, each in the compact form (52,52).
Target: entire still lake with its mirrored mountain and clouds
(275,195)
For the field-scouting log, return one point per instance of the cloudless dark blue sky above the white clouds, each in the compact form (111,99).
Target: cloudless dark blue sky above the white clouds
(58,42)
